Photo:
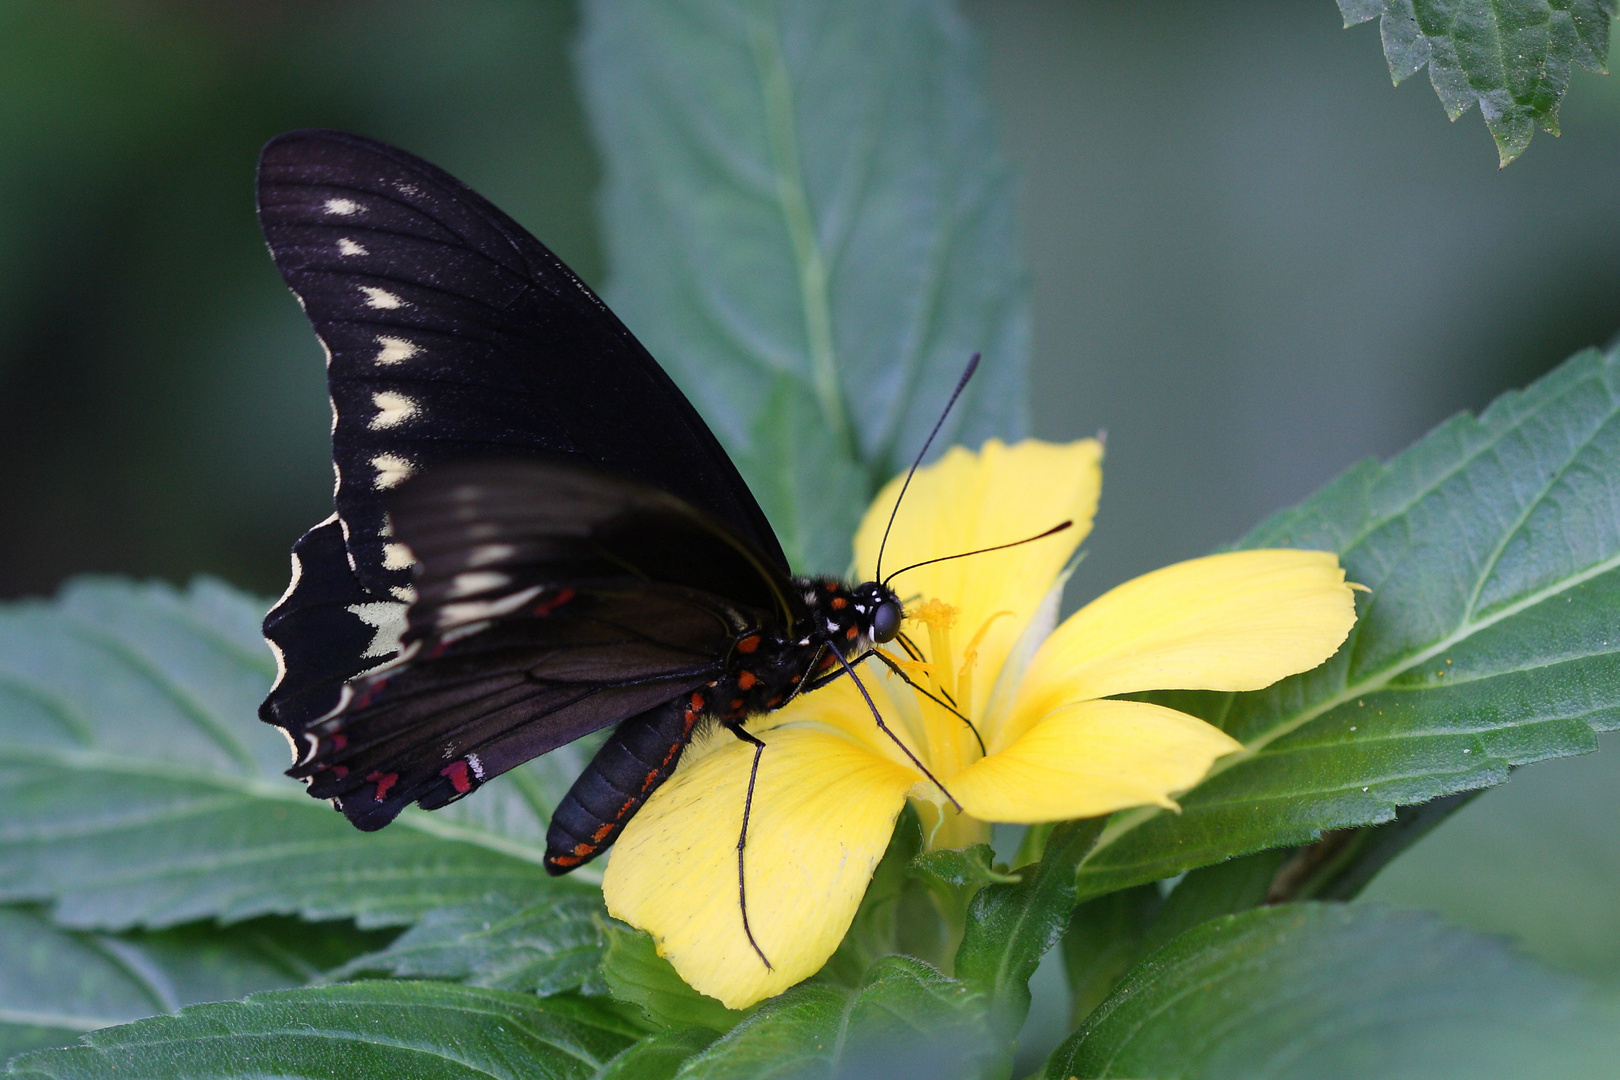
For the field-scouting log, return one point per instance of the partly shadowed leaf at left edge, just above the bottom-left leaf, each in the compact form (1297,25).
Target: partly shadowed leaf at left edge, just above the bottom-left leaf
(58,984)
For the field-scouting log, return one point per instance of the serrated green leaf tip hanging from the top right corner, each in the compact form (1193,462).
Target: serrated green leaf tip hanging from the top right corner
(1512,59)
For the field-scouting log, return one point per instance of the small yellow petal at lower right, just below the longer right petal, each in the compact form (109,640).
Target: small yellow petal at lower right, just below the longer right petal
(1093,759)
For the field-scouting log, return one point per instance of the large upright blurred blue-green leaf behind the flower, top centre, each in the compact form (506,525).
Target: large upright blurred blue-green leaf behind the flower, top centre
(808,200)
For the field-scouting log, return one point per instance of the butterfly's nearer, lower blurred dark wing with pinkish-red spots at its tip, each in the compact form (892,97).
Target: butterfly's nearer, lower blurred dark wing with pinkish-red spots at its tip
(550,602)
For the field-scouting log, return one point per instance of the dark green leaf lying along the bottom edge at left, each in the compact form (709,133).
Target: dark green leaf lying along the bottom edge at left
(357,1031)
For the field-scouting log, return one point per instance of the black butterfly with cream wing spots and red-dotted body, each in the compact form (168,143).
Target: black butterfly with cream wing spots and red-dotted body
(535,538)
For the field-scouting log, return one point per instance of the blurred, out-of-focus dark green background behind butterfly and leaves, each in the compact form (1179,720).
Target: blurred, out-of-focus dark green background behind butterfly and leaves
(1253,265)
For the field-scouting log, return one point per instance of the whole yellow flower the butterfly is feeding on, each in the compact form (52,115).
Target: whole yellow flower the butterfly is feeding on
(1055,747)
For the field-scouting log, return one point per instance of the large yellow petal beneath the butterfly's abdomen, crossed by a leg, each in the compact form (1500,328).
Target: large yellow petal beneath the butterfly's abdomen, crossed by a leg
(824,810)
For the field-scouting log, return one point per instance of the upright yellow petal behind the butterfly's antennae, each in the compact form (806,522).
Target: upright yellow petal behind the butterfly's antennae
(968,501)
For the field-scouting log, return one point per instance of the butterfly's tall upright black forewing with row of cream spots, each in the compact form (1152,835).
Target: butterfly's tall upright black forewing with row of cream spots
(456,334)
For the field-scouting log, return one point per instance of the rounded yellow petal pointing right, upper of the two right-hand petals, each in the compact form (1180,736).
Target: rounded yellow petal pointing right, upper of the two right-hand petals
(1240,621)
